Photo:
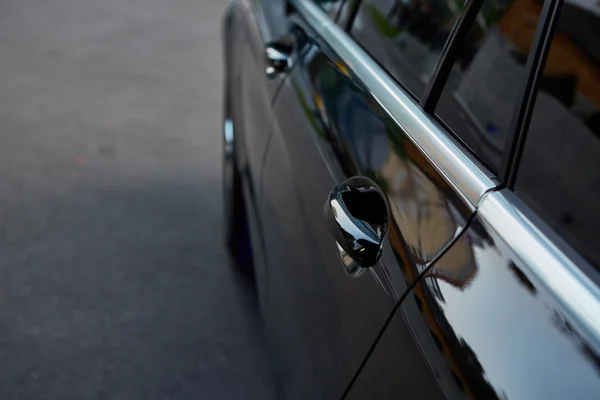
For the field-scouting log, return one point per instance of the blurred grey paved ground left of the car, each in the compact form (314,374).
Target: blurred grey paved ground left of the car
(113,279)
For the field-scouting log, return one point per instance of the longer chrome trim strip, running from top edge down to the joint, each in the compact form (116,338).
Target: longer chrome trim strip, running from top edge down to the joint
(458,170)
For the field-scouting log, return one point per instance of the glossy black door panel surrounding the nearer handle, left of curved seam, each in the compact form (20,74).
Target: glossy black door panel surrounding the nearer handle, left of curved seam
(328,128)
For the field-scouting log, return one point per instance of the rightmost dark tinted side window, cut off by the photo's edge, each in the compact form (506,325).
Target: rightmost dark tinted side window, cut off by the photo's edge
(559,173)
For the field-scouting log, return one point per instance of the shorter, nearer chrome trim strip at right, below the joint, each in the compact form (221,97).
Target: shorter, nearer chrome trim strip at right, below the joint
(512,231)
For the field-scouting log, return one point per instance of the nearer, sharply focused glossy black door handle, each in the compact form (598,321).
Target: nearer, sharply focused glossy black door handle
(357,216)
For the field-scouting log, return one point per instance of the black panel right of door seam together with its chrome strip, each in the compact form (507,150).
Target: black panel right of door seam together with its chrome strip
(499,329)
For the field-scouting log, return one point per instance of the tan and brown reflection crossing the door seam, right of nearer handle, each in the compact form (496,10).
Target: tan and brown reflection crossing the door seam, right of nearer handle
(429,215)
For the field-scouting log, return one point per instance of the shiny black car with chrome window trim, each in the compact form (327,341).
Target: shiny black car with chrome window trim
(415,187)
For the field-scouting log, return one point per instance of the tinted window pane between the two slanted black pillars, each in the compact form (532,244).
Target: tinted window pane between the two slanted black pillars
(485,83)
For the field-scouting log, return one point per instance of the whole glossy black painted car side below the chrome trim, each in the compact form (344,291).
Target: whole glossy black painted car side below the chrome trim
(446,310)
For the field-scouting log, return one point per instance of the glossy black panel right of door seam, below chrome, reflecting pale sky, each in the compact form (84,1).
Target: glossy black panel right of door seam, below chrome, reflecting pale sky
(487,329)
